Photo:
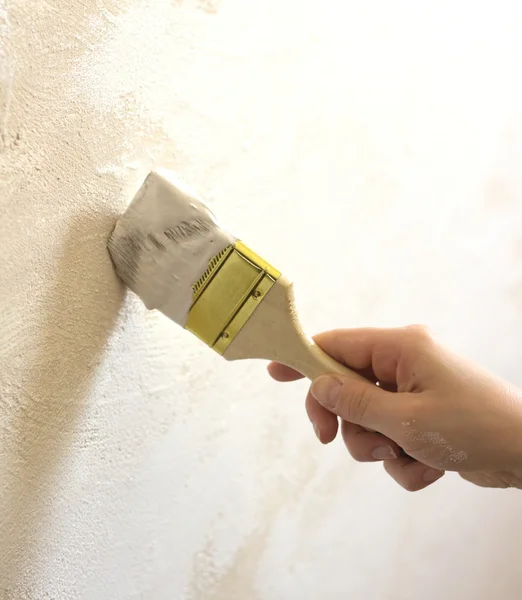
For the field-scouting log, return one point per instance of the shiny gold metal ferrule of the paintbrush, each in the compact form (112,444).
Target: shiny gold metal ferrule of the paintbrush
(225,296)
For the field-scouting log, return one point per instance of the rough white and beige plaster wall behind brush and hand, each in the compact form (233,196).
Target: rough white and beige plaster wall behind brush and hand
(372,150)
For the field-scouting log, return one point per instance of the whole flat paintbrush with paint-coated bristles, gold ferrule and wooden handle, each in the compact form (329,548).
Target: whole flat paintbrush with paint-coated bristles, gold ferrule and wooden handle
(168,248)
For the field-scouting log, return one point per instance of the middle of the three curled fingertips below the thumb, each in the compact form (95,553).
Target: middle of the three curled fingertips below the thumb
(365,446)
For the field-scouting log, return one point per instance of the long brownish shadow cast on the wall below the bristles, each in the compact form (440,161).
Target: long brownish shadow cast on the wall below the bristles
(76,319)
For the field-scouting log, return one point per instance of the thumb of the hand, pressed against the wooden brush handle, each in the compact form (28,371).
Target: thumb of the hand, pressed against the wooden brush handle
(354,400)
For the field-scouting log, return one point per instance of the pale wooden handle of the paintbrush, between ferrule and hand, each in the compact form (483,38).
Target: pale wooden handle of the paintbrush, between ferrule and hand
(273,332)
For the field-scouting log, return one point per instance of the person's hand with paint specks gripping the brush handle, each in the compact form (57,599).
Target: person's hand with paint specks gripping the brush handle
(429,410)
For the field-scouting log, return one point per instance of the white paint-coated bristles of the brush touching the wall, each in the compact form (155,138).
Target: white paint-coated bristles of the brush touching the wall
(163,243)
